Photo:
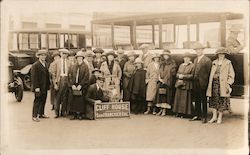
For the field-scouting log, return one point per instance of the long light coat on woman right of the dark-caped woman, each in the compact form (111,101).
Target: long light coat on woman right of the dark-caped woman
(152,76)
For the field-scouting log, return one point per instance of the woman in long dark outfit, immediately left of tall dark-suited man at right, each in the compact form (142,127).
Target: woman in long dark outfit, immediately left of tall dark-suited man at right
(183,97)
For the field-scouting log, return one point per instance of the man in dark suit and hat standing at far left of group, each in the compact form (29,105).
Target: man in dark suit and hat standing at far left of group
(40,85)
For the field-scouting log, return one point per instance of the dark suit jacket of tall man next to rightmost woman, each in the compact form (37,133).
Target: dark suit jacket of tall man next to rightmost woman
(201,72)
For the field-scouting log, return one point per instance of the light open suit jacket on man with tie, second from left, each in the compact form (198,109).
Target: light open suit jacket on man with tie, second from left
(56,71)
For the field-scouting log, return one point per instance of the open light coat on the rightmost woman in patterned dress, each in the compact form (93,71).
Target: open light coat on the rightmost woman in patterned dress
(226,78)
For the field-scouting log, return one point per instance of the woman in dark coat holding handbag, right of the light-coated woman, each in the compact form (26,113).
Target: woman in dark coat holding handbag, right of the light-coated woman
(164,96)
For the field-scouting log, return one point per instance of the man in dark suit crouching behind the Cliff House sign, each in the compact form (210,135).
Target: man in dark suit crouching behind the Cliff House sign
(94,95)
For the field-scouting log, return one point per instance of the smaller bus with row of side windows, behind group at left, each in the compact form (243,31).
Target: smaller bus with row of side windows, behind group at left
(23,45)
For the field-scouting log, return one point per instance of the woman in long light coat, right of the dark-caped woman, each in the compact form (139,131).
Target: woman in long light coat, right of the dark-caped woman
(152,77)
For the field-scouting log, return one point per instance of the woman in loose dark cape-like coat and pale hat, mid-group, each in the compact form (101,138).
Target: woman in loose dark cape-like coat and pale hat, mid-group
(137,88)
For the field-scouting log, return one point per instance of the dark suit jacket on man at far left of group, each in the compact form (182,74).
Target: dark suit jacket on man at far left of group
(40,77)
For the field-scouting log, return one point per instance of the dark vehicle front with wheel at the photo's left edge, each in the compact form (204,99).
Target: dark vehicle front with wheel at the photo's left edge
(15,84)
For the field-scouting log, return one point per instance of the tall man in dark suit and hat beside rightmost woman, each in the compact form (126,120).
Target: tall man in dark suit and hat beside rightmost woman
(200,82)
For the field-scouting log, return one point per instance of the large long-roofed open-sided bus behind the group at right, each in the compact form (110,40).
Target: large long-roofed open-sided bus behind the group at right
(177,31)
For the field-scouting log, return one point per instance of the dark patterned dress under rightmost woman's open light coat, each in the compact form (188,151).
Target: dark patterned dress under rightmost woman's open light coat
(216,101)
